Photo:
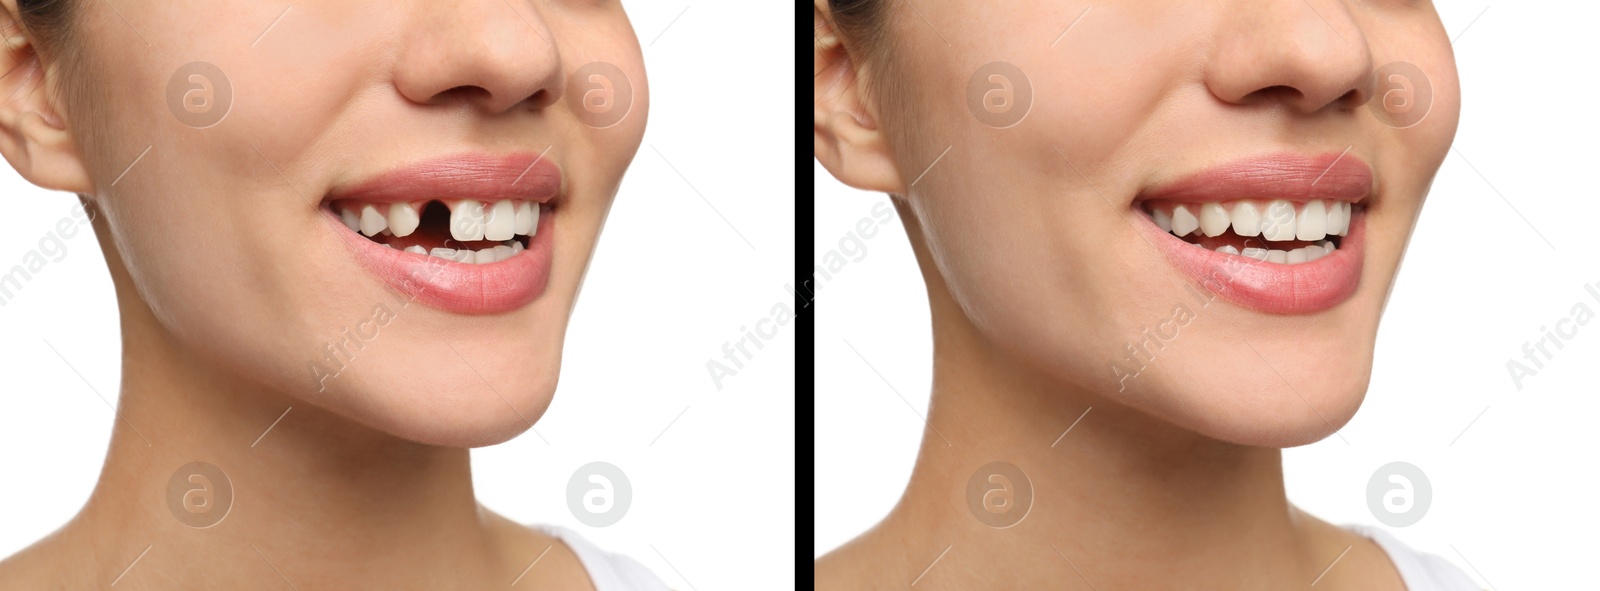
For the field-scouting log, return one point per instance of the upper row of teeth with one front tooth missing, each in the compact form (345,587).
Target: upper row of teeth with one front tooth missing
(470,220)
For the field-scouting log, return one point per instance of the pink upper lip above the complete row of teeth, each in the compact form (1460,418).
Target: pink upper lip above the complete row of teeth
(1287,175)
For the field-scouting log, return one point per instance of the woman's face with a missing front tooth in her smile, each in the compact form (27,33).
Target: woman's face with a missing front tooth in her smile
(463,126)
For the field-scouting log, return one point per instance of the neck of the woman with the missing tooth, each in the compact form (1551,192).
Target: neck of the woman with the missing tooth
(316,497)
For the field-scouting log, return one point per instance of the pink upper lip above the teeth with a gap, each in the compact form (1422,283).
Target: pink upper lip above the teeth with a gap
(479,177)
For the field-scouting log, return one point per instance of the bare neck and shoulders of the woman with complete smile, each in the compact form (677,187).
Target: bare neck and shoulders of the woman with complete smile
(1129,501)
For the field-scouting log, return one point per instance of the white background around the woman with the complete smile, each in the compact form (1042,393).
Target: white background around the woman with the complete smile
(1514,496)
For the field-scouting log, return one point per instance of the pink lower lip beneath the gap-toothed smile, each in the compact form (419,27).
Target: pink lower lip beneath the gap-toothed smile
(460,287)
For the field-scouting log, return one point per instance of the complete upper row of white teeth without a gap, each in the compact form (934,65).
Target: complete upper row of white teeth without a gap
(1276,220)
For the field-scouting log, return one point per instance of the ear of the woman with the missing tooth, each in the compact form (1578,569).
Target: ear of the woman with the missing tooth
(34,135)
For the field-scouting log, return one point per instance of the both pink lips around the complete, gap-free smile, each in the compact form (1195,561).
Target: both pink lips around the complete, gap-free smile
(1271,287)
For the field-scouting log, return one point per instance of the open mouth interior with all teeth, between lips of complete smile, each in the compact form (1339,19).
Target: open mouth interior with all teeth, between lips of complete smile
(1276,231)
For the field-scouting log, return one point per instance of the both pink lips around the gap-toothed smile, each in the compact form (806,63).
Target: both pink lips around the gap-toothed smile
(462,287)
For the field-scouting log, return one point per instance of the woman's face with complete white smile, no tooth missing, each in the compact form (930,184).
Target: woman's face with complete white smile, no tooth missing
(1046,150)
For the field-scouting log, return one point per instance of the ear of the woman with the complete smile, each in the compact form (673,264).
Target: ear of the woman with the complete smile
(849,140)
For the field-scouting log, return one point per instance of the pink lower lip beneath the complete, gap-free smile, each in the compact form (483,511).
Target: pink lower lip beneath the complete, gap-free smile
(1271,287)
